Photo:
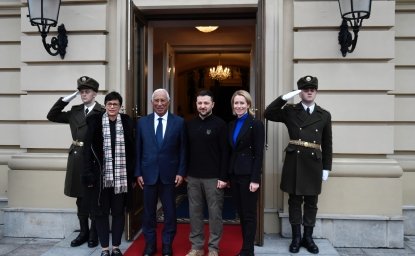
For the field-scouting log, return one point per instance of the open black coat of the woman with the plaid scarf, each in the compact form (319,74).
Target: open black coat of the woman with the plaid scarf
(94,157)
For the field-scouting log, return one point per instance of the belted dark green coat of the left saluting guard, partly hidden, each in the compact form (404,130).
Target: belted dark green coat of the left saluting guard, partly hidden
(75,117)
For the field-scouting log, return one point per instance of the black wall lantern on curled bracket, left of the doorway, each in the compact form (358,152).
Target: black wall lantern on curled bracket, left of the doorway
(44,14)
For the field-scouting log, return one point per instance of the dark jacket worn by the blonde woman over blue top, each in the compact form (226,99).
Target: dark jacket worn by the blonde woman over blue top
(247,153)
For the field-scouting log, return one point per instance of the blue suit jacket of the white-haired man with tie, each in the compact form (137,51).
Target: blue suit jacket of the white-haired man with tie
(165,162)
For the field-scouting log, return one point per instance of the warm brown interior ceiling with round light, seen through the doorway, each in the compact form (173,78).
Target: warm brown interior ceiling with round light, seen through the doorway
(231,43)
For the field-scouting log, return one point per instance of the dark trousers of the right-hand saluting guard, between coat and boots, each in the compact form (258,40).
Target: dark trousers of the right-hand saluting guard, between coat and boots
(296,217)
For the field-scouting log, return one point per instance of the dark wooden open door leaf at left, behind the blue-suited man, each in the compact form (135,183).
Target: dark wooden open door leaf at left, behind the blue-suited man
(136,103)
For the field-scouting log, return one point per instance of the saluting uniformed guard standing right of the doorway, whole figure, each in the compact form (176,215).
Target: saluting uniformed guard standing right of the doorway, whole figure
(308,157)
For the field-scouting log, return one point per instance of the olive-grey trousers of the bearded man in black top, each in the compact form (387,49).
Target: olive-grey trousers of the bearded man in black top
(199,190)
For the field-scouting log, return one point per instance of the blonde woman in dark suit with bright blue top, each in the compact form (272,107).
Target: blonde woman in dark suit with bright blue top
(246,139)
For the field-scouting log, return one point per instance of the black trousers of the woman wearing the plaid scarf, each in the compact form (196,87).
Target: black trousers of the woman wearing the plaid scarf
(114,204)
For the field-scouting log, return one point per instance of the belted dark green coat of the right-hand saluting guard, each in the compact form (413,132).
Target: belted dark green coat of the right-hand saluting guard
(302,170)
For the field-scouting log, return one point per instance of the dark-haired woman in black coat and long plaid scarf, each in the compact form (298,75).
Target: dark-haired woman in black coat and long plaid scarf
(108,173)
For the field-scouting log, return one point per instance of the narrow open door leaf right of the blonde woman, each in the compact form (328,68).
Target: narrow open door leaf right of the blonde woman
(259,106)
